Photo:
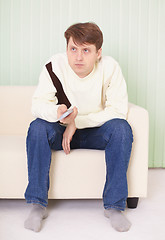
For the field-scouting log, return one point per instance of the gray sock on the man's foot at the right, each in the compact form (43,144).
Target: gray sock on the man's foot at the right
(118,220)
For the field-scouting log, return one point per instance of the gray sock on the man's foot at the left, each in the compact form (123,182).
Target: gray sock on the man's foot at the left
(34,220)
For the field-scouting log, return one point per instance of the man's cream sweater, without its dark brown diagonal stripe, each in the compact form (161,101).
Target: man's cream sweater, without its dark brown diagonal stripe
(99,97)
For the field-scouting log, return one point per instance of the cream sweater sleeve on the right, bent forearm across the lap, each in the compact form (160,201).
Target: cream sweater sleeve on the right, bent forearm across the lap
(115,103)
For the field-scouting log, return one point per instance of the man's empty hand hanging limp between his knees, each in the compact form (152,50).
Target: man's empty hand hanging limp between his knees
(67,137)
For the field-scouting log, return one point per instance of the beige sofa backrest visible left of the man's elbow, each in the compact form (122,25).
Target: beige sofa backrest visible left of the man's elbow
(15,107)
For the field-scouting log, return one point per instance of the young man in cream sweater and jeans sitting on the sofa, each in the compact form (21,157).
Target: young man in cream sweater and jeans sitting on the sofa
(96,90)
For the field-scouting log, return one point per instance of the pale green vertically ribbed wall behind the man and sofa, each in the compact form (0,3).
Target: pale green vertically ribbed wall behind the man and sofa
(134,34)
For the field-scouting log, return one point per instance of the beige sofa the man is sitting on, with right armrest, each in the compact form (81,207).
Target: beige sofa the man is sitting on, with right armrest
(71,176)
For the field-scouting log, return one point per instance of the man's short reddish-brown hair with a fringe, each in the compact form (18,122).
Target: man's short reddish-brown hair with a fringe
(84,33)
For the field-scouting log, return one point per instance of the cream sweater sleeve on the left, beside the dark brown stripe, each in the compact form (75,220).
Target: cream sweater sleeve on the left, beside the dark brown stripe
(44,101)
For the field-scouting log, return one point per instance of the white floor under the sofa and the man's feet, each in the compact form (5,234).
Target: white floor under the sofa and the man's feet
(84,219)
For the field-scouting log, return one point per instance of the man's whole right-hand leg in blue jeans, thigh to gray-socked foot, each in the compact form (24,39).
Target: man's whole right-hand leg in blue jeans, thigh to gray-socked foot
(115,136)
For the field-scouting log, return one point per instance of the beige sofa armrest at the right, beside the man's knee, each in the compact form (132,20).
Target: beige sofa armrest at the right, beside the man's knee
(137,177)
